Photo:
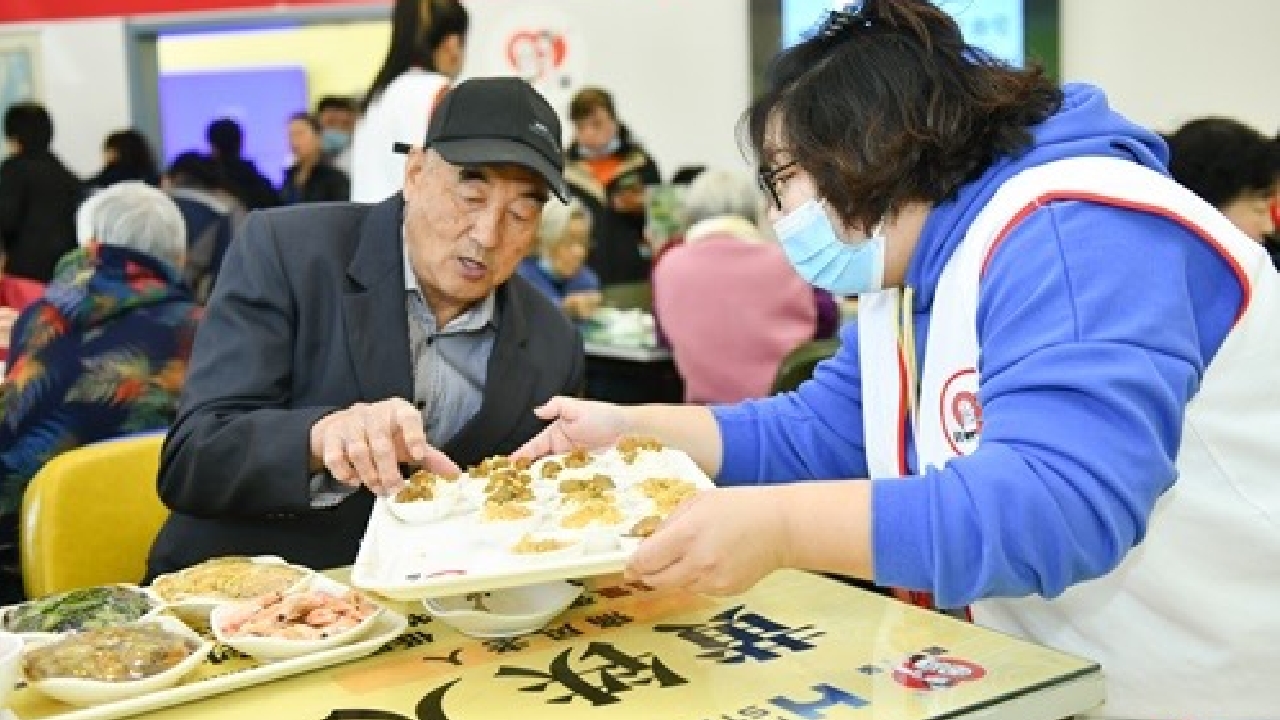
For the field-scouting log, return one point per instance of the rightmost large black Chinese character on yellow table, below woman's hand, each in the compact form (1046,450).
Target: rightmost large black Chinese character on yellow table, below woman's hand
(737,636)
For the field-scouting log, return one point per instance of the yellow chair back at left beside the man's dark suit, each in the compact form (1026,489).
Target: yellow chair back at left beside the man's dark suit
(90,517)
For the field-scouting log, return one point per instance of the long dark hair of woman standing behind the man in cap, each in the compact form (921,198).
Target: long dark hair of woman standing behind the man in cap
(418,29)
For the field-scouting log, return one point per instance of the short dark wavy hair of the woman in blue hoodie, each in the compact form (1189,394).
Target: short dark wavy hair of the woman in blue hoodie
(888,104)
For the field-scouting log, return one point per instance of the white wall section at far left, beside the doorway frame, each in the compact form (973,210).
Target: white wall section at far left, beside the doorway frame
(84,85)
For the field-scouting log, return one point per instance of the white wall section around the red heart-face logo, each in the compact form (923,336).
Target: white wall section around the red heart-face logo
(679,70)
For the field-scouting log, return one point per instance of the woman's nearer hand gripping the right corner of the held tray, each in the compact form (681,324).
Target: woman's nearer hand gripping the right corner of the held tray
(719,543)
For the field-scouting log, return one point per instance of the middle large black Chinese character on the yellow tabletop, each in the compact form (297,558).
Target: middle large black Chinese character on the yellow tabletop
(604,673)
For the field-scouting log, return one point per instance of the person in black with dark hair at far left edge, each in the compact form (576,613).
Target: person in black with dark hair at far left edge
(38,197)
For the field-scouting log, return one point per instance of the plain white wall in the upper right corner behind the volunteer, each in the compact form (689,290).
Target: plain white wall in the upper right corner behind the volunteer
(1165,62)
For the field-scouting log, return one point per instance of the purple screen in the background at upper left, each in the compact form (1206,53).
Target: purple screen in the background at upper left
(259,99)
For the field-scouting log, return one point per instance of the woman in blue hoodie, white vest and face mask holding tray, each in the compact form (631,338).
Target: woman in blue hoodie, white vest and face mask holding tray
(1058,405)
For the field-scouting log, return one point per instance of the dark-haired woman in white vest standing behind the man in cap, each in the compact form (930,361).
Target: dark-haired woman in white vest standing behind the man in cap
(423,60)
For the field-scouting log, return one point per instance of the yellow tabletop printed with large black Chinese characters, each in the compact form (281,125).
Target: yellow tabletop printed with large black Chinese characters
(797,648)
